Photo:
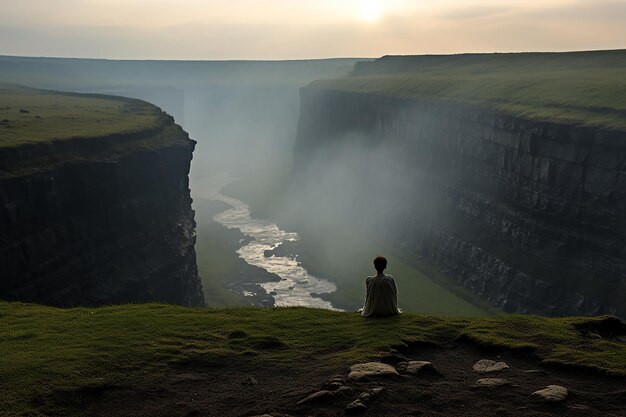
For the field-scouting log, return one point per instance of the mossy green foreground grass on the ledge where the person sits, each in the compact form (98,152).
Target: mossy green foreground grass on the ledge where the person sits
(45,350)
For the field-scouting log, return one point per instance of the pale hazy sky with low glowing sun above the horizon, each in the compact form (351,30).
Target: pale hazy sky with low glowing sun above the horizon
(297,29)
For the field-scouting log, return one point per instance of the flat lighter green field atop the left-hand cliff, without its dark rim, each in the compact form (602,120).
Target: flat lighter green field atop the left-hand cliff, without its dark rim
(32,116)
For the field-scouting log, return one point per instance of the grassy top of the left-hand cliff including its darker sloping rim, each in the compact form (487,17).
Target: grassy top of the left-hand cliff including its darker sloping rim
(95,127)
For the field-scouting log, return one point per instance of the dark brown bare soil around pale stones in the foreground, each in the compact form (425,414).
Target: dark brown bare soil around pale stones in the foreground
(245,387)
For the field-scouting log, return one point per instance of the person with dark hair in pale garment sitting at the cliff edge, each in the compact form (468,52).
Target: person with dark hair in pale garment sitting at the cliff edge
(381,294)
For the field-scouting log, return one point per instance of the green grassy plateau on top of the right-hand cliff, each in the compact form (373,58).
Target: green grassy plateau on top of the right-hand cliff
(583,88)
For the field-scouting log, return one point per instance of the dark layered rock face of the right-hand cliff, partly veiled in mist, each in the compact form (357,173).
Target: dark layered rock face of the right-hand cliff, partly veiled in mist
(529,215)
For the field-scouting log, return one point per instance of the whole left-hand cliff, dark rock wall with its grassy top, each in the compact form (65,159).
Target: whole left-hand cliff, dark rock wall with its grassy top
(95,206)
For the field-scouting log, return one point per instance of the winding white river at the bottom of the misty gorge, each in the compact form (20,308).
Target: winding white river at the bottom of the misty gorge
(297,286)
